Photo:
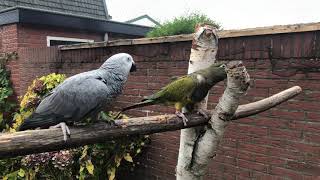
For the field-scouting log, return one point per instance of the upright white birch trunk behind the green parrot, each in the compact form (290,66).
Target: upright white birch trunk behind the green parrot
(203,53)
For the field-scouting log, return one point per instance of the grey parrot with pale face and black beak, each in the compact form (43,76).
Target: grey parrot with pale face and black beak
(82,95)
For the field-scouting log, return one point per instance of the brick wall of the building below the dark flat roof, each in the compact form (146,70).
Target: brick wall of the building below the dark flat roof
(15,37)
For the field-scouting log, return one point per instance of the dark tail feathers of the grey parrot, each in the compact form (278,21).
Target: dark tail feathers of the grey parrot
(36,120)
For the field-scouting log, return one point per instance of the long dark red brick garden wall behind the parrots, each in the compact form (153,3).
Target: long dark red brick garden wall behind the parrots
(282,143)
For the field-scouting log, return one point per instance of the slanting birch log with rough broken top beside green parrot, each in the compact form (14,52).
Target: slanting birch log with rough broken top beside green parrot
(208,141)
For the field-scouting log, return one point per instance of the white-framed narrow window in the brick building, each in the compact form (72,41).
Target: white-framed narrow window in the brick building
(55,41)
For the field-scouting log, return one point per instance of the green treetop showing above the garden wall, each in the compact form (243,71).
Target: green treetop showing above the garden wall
(182,25)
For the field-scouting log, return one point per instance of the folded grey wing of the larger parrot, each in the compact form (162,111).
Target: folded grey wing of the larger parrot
(75,100)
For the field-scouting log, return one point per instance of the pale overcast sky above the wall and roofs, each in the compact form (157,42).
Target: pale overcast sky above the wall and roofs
(231,14)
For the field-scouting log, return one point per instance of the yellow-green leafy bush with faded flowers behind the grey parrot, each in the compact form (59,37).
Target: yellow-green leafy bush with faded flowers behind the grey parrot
(98,161)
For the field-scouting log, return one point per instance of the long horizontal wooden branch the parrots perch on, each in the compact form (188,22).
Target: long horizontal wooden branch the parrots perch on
(36,141)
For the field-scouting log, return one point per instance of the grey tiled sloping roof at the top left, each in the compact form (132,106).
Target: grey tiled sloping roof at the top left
(87,8)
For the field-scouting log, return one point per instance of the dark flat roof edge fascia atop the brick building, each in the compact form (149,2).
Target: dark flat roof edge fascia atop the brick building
(46,17)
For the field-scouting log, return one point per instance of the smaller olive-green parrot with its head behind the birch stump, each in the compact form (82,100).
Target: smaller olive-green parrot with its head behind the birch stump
(185,91)
